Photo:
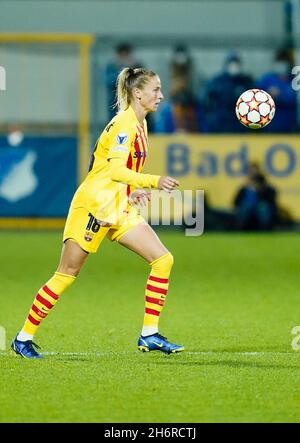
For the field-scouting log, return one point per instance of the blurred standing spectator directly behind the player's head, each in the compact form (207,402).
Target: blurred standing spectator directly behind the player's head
(123,58)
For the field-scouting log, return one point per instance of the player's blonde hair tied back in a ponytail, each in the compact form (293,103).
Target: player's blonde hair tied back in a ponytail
(128,79)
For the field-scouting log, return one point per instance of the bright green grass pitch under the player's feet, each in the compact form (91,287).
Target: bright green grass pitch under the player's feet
(233,302)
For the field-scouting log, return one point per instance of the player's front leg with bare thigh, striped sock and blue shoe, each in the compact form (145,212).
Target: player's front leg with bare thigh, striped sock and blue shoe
(142,240)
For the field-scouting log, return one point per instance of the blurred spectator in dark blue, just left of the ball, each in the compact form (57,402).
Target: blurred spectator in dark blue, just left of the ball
(220,94)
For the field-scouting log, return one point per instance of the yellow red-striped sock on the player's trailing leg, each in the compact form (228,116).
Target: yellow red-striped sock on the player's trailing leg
(45,299)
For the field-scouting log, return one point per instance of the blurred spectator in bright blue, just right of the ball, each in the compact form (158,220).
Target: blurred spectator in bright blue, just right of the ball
(278,83)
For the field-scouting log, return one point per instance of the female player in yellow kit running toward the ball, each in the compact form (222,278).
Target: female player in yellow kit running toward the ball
(102,205)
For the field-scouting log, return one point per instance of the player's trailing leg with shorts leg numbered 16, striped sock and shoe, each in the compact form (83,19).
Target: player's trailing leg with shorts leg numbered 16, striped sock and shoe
(82,235)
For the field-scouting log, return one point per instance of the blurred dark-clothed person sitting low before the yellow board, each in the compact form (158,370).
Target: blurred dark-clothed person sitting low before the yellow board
(255,203)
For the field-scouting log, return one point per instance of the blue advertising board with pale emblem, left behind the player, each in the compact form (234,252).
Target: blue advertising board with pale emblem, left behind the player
(38,177)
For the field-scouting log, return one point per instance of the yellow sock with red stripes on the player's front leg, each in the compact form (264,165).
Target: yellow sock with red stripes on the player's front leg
(156,292)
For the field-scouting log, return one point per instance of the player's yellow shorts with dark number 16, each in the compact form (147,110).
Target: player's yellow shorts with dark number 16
(82,227)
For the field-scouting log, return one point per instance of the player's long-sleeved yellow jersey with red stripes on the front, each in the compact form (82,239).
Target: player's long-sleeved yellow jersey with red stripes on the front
(105,197)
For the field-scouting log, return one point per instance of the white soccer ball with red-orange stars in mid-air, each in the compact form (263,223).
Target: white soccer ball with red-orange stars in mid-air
(255,108)
